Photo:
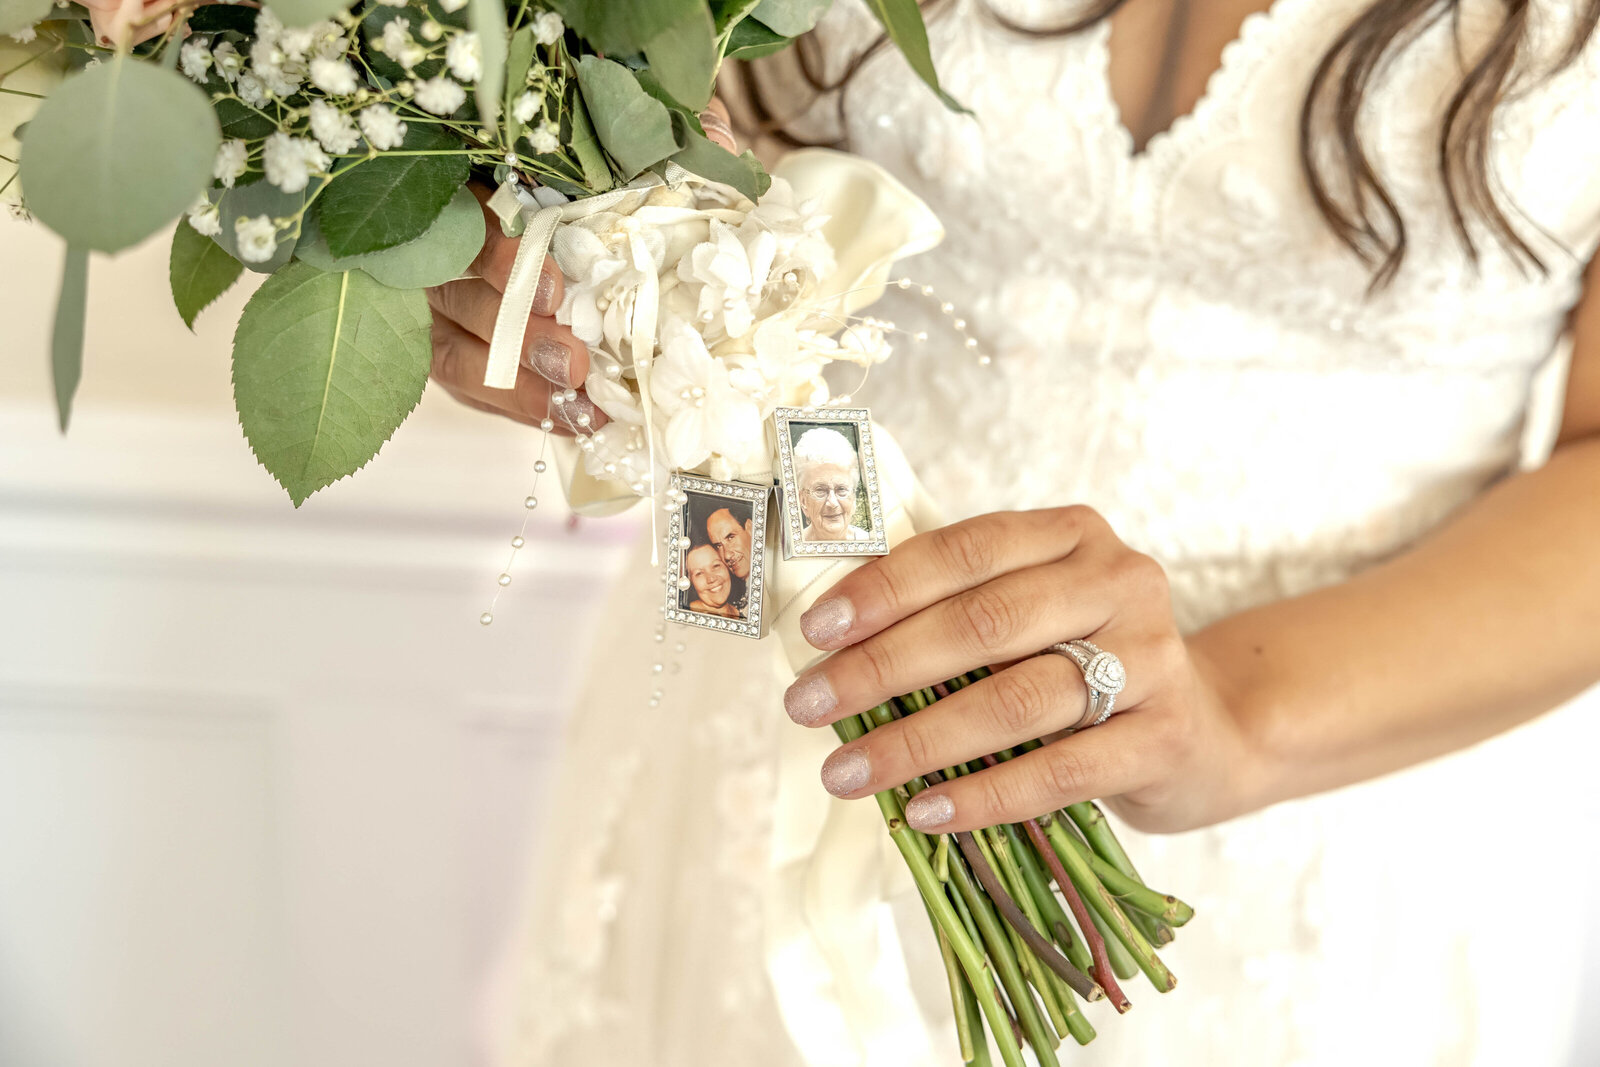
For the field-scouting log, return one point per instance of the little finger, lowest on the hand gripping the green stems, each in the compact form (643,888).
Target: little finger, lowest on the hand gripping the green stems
(1126,754)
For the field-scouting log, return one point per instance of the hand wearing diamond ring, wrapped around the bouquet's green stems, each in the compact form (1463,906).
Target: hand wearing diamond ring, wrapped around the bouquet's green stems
(994,591)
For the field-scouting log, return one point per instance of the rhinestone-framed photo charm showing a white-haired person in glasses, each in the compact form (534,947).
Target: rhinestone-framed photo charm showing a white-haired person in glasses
(828,481)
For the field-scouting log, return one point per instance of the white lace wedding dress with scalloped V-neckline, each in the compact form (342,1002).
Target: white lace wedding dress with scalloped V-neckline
(1180,343)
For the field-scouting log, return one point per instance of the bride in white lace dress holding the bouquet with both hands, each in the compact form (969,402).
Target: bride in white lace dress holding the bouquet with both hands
(1268,292)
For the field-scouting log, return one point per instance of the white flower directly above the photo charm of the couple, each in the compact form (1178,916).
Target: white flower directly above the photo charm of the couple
(705,414)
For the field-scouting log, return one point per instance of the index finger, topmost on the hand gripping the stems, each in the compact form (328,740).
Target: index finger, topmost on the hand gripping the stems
(942,564)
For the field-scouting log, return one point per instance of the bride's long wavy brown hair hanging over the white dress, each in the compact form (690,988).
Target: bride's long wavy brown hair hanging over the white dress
(1366,218)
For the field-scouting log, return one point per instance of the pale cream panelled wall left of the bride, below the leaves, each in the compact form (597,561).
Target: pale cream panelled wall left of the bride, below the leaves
(266,786)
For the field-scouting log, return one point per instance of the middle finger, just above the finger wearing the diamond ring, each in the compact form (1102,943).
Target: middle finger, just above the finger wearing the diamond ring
(1015,615)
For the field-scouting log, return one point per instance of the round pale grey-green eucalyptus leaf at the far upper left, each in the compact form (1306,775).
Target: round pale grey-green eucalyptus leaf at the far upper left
(118,153)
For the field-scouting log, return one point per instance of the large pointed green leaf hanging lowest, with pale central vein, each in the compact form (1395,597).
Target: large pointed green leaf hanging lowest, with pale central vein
(326,367)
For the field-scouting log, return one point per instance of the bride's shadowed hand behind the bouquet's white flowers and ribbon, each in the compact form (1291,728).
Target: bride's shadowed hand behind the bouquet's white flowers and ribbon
(553,359)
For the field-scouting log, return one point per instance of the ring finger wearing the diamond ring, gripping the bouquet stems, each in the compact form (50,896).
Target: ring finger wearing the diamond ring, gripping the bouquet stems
(1038,698)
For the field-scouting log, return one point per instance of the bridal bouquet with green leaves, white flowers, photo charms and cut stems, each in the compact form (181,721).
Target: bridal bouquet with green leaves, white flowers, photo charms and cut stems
(330,148)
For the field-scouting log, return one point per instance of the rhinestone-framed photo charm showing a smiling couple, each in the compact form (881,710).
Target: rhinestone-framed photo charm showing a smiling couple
(718,557)
